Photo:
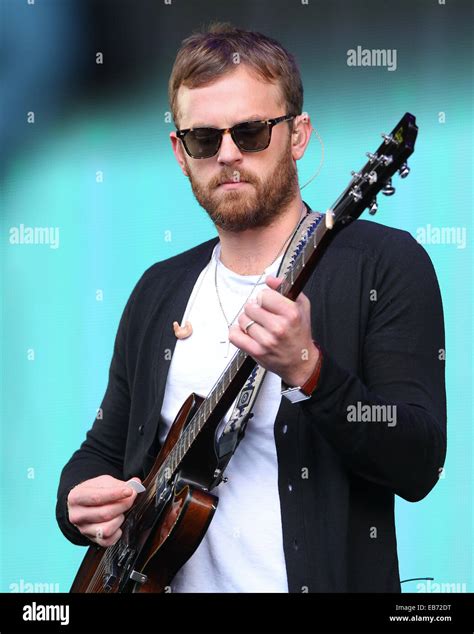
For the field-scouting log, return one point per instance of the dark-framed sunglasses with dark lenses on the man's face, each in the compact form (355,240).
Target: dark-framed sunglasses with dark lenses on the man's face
(249,136)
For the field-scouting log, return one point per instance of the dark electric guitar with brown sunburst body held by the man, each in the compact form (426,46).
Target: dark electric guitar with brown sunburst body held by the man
(170,518)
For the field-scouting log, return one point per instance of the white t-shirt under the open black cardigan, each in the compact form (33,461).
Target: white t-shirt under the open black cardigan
(242,551)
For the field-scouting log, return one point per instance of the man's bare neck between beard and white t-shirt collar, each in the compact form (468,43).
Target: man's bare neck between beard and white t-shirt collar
(251,251)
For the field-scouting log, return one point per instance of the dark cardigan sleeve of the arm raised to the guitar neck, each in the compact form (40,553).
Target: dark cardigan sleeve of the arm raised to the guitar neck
(389,425)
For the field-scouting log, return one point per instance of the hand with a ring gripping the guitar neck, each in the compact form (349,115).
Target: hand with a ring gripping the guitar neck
(280,340)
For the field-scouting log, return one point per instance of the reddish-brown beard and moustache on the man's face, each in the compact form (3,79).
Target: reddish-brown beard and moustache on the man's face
(255,206)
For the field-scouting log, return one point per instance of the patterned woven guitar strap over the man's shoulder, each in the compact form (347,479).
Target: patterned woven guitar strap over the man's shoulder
(235,428)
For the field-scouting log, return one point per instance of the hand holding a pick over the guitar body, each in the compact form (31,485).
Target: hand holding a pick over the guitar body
(97,506)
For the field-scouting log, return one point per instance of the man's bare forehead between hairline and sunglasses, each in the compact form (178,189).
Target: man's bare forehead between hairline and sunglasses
(235,97)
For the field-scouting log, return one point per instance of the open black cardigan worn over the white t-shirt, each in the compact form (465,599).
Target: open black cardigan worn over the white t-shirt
(377,314)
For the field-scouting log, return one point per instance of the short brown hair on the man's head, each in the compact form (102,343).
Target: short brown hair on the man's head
(206,56)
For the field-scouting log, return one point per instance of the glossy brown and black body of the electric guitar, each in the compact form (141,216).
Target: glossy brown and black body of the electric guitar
(168,537)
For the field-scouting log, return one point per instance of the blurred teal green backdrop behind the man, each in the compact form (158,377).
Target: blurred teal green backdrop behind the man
(102,172)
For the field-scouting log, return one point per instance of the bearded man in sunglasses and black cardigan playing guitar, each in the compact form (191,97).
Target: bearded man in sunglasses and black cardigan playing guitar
(309,502)
